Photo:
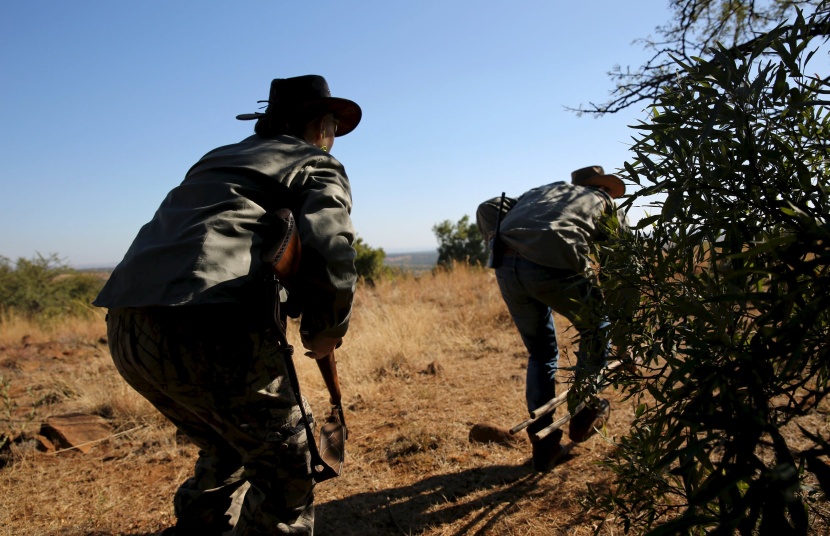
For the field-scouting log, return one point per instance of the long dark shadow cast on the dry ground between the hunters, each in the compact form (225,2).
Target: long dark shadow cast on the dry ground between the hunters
(435,501)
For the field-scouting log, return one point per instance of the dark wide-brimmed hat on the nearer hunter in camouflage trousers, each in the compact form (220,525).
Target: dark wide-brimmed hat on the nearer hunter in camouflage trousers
(289,96)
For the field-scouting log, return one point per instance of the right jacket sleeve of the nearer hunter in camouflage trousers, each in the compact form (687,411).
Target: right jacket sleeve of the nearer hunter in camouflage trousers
(327,268)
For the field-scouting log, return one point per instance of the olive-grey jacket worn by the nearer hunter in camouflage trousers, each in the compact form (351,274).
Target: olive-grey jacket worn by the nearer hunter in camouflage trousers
(203,244)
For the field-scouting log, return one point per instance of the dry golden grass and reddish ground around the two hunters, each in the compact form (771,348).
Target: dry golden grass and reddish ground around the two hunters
(425,360)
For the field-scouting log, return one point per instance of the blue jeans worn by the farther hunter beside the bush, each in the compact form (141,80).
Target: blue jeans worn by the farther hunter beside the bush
(532,292)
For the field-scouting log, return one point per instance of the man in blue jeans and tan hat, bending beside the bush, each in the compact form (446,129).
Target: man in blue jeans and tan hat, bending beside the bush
(543,265)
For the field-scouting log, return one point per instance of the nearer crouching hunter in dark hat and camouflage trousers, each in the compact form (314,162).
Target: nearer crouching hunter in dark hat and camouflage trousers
(187,310)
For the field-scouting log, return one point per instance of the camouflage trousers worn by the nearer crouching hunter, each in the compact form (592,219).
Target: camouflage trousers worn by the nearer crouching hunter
(224,385)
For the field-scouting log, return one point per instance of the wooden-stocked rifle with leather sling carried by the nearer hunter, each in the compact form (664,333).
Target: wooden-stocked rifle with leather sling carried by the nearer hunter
(282,255)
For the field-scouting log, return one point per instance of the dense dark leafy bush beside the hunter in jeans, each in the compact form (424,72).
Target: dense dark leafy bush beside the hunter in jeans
(733,321)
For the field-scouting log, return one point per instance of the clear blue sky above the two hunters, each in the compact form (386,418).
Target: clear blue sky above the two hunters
(106,105)
